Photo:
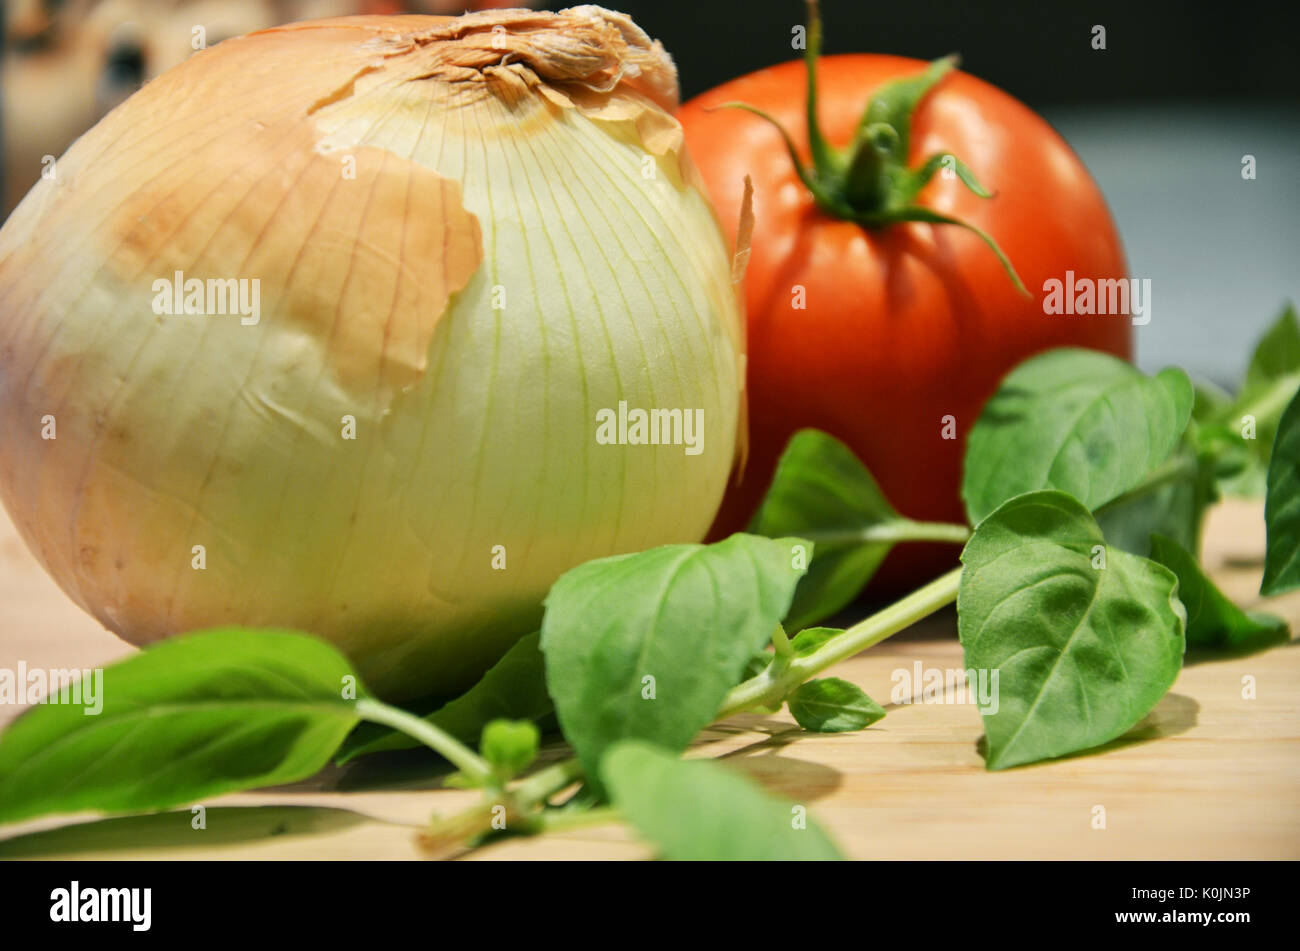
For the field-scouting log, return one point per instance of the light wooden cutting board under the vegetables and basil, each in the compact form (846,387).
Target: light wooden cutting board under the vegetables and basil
(1212,774)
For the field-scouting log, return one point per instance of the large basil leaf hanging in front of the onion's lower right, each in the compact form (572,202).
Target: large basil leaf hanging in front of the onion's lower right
(647,646)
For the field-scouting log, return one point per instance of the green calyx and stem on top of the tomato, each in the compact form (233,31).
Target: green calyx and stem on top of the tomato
(870,183)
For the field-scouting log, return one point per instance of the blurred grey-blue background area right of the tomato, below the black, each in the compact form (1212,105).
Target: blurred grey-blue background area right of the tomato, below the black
(1219,249)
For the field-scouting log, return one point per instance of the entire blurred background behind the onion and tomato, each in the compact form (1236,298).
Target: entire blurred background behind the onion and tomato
(1163,116)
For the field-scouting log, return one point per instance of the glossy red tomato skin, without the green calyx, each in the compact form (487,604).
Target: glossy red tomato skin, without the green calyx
(912,324)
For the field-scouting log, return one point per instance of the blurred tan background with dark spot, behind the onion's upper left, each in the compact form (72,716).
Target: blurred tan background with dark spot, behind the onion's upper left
(67,63)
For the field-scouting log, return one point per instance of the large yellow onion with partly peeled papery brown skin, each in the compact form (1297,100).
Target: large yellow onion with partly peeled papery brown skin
(475,425)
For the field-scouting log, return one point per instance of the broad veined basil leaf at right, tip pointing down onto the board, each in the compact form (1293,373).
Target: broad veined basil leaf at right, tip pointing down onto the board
(1085,639)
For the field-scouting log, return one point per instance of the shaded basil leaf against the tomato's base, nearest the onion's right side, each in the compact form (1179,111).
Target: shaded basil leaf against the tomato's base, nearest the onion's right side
(821,492)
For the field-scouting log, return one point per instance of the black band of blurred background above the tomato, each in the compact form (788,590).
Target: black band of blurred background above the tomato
(1039,51)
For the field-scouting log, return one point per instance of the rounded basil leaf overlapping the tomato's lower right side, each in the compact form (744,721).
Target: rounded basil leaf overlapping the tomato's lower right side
(1074,420)
